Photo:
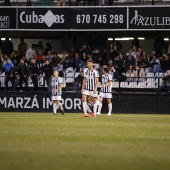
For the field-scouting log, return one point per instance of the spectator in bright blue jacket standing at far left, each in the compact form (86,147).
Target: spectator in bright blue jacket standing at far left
(8,68)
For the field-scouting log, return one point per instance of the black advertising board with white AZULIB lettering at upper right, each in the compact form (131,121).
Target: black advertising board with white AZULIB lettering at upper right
(149,18)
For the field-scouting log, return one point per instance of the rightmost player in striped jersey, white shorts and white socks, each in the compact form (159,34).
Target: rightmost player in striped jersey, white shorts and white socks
(106,90)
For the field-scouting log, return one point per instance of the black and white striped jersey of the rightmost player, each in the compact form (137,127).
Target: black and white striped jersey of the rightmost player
(106,78)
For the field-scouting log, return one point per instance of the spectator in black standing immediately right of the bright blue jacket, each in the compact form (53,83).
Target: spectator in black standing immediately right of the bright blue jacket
(22,74)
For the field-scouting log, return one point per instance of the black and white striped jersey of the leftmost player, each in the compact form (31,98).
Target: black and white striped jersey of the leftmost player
(56,81)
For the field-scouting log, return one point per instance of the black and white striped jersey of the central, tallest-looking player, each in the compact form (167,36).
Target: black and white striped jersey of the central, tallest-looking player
(90,79)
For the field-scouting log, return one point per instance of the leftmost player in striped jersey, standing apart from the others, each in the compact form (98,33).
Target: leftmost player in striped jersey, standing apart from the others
(56,92)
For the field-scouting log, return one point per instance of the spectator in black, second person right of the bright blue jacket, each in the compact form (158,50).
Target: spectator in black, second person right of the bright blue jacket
(34,73)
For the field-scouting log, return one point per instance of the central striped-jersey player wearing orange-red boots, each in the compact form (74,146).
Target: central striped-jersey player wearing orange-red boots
(89,87)
